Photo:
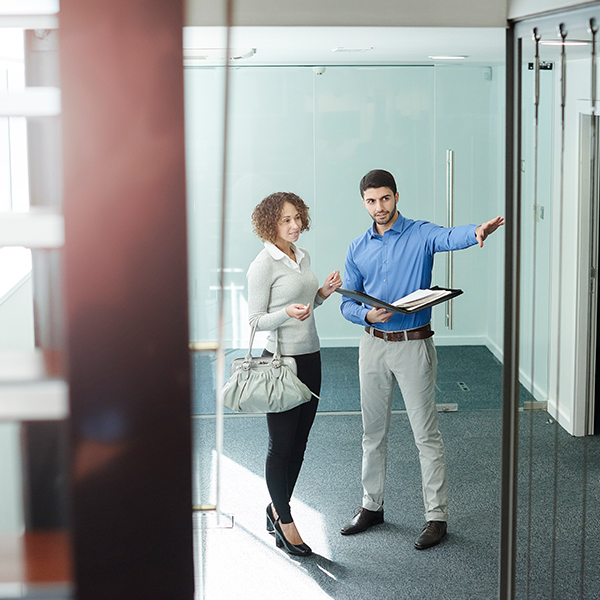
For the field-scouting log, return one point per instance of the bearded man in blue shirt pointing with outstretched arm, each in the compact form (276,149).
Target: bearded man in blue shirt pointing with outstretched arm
(392,259)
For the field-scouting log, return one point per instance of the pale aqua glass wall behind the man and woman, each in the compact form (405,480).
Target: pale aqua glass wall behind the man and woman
(291,129)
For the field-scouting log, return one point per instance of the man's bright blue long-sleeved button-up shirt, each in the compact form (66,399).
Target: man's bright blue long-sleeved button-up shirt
(391,266)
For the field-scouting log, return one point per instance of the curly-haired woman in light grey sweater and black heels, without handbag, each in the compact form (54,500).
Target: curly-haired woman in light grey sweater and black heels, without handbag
(282,290)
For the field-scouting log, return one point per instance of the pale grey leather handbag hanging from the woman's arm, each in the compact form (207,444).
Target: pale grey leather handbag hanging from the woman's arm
(264,384)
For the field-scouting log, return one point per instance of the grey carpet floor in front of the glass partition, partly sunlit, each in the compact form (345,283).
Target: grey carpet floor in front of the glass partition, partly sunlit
(381,563)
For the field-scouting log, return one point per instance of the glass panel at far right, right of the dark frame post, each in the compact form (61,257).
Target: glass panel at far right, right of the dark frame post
(556,451)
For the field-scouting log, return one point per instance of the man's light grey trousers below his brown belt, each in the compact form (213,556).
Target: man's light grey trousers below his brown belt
(413,364)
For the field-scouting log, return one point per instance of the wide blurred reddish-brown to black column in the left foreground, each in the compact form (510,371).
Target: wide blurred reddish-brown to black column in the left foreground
(126,297)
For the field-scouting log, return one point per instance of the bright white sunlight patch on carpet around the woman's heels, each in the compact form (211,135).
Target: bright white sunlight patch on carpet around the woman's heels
(243,561)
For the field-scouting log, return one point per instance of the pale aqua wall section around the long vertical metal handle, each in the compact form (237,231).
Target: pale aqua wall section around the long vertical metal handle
(470,121)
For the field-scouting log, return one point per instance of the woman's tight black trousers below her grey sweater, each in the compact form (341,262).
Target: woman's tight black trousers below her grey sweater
(288,434)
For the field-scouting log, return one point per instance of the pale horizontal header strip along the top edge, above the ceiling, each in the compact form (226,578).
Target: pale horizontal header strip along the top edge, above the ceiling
(401,13)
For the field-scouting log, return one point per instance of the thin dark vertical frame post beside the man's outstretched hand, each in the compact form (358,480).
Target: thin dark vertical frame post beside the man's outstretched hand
(510,392)
